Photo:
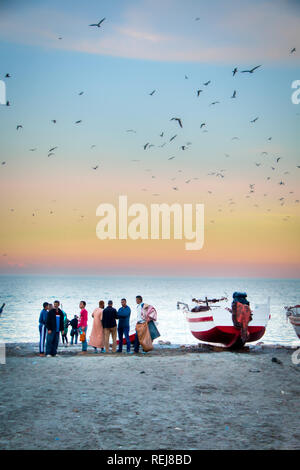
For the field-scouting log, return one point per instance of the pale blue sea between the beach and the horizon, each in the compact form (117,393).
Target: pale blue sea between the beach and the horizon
(24,296)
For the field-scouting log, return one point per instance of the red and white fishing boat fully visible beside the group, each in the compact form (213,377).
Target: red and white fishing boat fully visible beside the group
(219,322)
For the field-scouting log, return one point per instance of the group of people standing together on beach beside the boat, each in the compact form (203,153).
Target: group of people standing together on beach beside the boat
(107,323)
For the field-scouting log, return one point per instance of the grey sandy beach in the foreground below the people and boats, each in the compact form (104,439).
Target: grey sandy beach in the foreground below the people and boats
(171,398)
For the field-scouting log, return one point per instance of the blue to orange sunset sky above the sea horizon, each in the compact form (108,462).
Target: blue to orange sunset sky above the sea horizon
(231,165)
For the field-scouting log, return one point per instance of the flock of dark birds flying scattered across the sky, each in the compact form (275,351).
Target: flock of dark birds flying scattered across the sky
(178,121)
